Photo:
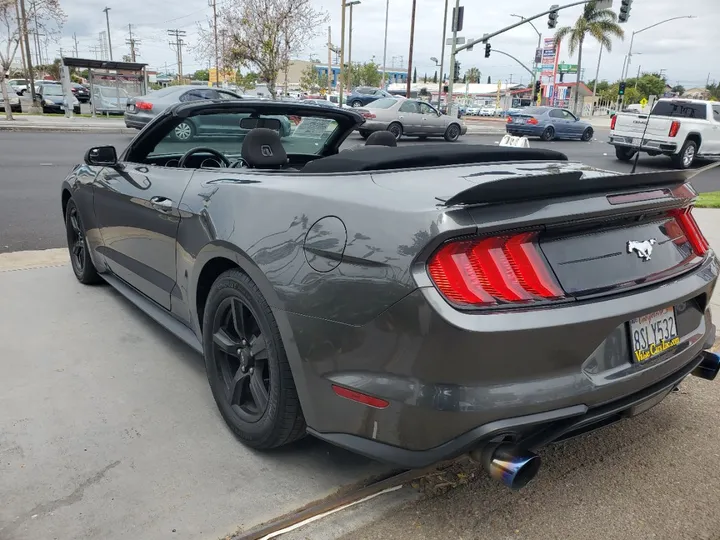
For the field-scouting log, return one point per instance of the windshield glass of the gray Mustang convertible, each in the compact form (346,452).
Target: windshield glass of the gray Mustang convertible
(299,134)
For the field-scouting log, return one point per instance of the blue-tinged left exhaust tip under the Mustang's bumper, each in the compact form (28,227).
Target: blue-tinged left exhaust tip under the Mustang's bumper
(508,464)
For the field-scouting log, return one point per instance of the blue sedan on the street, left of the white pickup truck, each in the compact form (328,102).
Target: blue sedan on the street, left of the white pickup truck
(548,123)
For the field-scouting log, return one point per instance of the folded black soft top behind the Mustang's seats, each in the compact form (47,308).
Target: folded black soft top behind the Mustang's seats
(379,158)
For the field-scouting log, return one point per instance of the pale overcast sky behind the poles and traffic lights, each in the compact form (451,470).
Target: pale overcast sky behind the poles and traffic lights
(685,48)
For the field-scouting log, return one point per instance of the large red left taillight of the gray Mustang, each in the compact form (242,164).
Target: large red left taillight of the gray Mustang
(492,271)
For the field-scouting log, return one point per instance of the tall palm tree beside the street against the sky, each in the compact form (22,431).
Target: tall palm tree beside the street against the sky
(600,24)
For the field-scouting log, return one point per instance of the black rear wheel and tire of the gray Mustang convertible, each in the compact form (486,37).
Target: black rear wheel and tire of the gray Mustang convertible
(259,362)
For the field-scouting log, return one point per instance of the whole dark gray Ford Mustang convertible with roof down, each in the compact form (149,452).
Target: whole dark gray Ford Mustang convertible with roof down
(409,303)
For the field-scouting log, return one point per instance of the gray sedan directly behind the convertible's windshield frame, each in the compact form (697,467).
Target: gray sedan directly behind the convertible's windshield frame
(140,110)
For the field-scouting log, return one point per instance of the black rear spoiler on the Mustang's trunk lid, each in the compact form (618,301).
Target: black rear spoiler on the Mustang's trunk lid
(544,186)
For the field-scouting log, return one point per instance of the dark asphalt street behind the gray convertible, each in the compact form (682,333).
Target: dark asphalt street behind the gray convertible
(32,166)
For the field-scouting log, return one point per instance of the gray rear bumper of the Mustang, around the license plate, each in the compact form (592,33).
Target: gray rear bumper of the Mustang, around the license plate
(454,379)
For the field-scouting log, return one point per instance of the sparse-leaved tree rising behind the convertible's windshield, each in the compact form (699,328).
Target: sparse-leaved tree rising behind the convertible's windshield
(262,34)
